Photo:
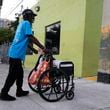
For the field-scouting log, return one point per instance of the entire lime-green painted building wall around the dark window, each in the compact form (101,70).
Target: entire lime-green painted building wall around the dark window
(80,26)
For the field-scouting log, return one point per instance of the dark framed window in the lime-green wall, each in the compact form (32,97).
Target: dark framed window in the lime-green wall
(52,37)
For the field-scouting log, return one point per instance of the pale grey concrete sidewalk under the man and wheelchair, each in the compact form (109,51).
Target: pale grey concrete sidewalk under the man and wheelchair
(89,95)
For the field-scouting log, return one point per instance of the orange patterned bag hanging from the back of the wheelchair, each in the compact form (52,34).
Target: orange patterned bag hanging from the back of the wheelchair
(36,74)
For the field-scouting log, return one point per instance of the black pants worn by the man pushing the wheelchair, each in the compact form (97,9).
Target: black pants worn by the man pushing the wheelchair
(15,74)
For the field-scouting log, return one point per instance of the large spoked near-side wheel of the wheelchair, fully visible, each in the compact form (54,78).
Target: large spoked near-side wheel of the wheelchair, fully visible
(57,83)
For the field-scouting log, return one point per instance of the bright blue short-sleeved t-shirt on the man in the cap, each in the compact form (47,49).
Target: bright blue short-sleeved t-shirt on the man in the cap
(21,40)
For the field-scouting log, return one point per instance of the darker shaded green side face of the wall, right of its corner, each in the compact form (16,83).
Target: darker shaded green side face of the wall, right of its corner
(92,36)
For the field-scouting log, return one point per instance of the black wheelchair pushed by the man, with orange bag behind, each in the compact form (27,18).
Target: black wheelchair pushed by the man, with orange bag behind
(55,81)
